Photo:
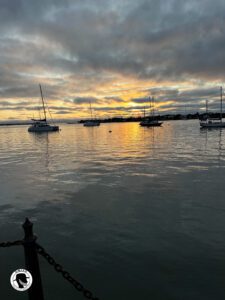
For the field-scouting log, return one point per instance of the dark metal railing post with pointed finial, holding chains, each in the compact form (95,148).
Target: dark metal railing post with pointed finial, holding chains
(35,292)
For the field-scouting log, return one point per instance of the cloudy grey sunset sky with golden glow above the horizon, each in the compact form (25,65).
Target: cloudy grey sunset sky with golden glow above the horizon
(112,53)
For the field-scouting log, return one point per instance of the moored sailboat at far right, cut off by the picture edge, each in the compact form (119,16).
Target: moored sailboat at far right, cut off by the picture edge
(209,122)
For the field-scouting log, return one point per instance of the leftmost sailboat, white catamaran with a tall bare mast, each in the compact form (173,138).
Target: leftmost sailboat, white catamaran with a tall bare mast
(42,125)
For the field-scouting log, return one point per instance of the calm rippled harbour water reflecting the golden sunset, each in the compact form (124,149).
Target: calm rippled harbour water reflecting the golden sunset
(138,213)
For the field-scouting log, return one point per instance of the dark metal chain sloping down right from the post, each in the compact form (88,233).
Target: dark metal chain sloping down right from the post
(64,273)
